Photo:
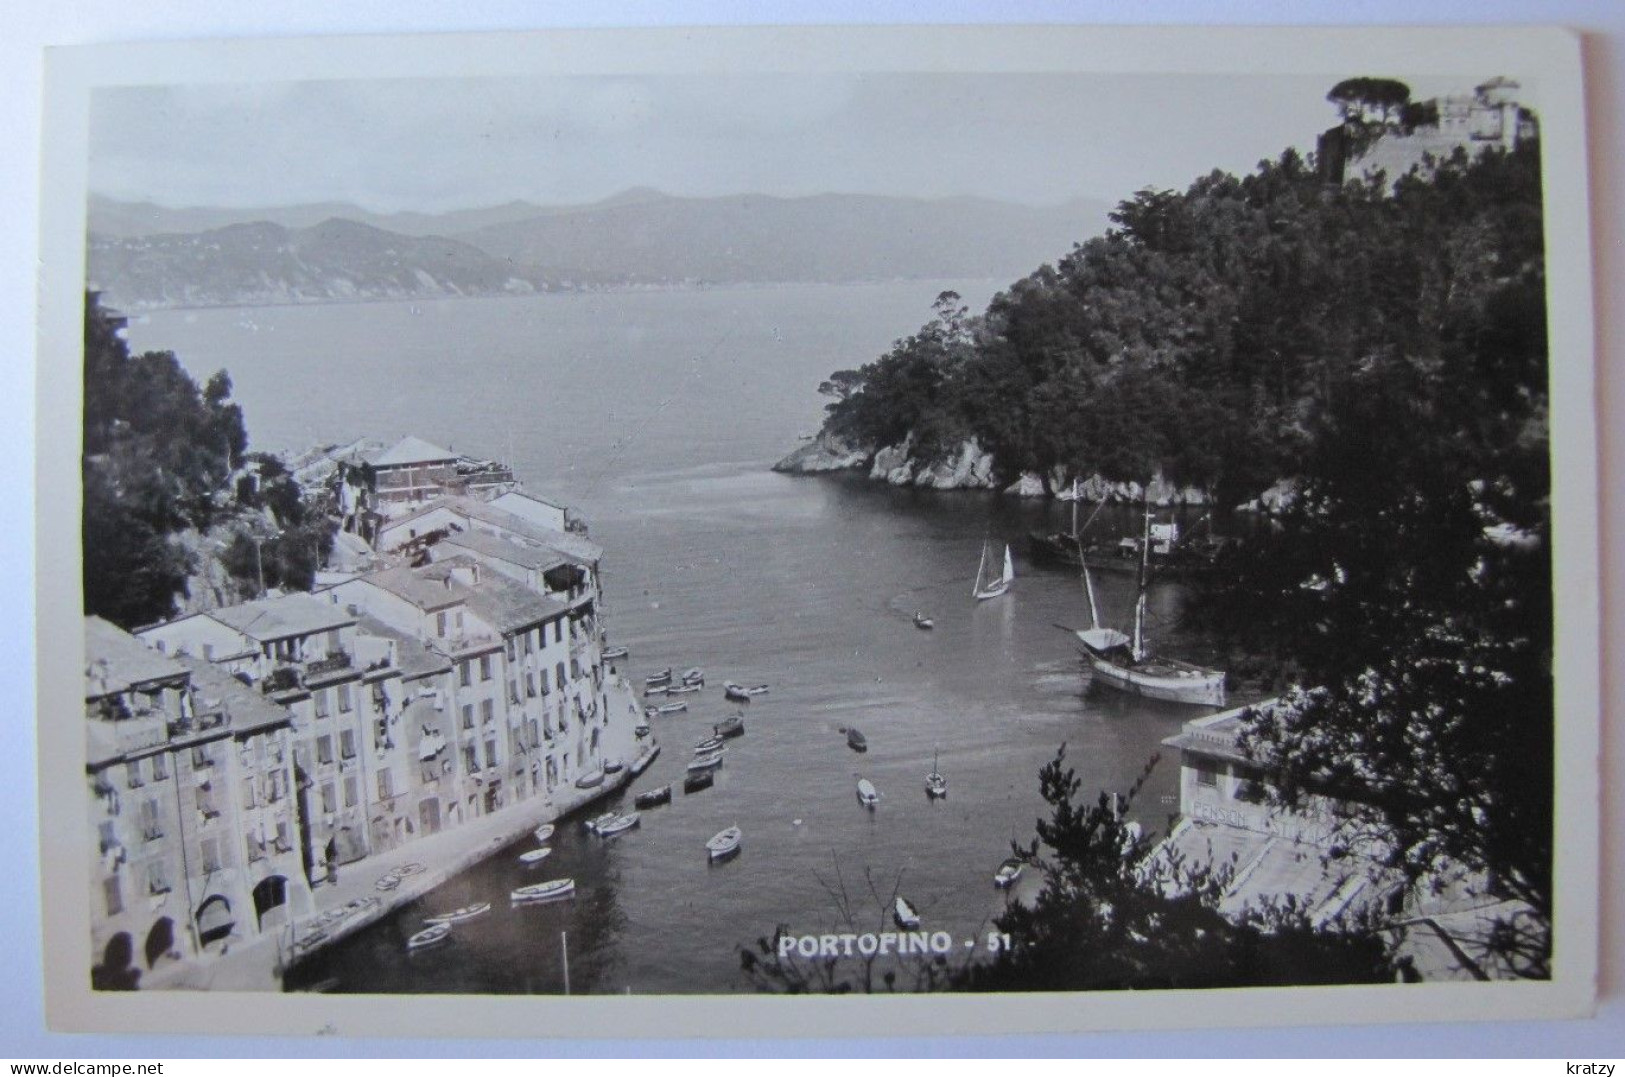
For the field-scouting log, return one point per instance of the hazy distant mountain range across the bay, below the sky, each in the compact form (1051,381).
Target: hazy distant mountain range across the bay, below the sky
(144,256)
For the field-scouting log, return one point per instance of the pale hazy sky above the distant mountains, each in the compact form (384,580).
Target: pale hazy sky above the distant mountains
(436,145)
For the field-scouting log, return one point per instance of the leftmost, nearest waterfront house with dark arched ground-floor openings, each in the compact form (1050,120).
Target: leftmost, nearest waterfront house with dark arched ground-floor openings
(189,800)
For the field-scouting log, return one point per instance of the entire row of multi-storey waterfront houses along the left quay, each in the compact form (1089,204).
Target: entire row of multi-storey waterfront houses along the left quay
(240,758)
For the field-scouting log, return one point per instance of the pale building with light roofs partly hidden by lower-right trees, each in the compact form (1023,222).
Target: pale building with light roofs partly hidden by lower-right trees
(1325,855)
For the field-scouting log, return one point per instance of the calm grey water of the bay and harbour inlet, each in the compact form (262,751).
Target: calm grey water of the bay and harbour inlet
(659,415)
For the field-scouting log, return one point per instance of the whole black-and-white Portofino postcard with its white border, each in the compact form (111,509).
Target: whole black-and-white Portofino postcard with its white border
(818,514)
